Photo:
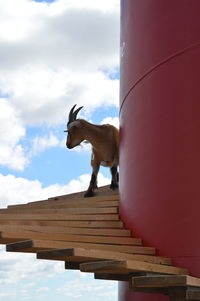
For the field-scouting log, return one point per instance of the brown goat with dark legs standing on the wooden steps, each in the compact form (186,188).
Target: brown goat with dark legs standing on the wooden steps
(105,146)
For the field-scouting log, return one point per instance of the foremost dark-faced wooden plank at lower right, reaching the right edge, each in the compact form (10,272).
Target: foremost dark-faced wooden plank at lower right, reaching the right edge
(165,281)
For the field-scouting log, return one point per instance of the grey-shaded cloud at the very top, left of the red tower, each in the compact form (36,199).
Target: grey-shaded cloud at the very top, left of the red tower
(66,33)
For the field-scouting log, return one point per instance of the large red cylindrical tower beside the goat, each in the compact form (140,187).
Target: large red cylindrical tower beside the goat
(160,129)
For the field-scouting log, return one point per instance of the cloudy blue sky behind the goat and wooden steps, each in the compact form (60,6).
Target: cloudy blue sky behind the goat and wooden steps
(53,54)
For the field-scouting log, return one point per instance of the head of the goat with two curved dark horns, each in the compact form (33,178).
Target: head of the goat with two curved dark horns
(74,136)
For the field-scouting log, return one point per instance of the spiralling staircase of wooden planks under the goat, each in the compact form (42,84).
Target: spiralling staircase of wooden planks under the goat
(88,234)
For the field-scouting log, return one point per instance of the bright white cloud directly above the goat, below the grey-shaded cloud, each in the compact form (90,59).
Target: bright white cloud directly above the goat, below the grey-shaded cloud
(57,92)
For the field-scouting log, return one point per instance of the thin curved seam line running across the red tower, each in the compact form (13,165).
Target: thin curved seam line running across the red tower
(178,53)
